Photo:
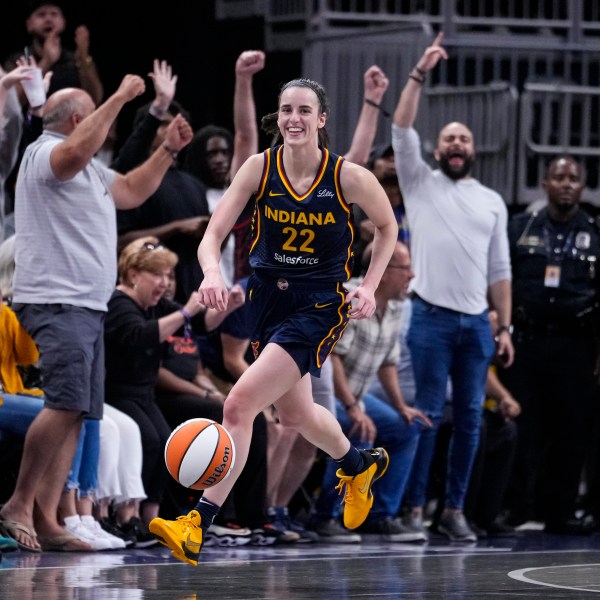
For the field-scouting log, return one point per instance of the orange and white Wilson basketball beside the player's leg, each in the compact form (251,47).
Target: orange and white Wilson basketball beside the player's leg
(199,453)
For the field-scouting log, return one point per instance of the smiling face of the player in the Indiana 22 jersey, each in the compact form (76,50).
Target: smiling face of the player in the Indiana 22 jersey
(299,116)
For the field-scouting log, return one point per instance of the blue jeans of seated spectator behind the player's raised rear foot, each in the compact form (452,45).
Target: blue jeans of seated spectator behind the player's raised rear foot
(398,438)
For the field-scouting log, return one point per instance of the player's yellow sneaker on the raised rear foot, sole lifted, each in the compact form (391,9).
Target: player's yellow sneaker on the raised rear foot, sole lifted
(358,497)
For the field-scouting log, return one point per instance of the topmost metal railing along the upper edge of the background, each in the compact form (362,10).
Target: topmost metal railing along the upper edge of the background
(570,24)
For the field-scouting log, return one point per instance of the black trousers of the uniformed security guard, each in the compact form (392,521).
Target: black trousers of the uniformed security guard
(553,379)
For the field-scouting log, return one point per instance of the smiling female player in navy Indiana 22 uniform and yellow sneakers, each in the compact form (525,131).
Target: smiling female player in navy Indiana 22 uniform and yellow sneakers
(301,255)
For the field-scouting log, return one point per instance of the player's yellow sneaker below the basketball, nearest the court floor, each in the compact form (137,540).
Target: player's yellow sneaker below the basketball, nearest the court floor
(184,536)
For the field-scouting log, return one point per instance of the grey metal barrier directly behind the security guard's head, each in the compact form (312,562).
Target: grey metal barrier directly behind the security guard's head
(557,118)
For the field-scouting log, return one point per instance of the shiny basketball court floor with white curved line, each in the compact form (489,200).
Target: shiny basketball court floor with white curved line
(532,565)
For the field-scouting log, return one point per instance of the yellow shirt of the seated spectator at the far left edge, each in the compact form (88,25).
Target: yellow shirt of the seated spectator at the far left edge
(16,348)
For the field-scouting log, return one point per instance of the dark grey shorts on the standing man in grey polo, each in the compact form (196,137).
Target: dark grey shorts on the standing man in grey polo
(70,340)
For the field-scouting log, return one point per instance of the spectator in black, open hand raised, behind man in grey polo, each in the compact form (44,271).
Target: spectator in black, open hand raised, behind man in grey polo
(177,213)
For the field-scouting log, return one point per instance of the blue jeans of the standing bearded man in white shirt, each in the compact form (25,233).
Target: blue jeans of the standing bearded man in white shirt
(444,343)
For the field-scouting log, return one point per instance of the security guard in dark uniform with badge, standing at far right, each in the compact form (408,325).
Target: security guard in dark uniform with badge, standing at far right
(554,255)
